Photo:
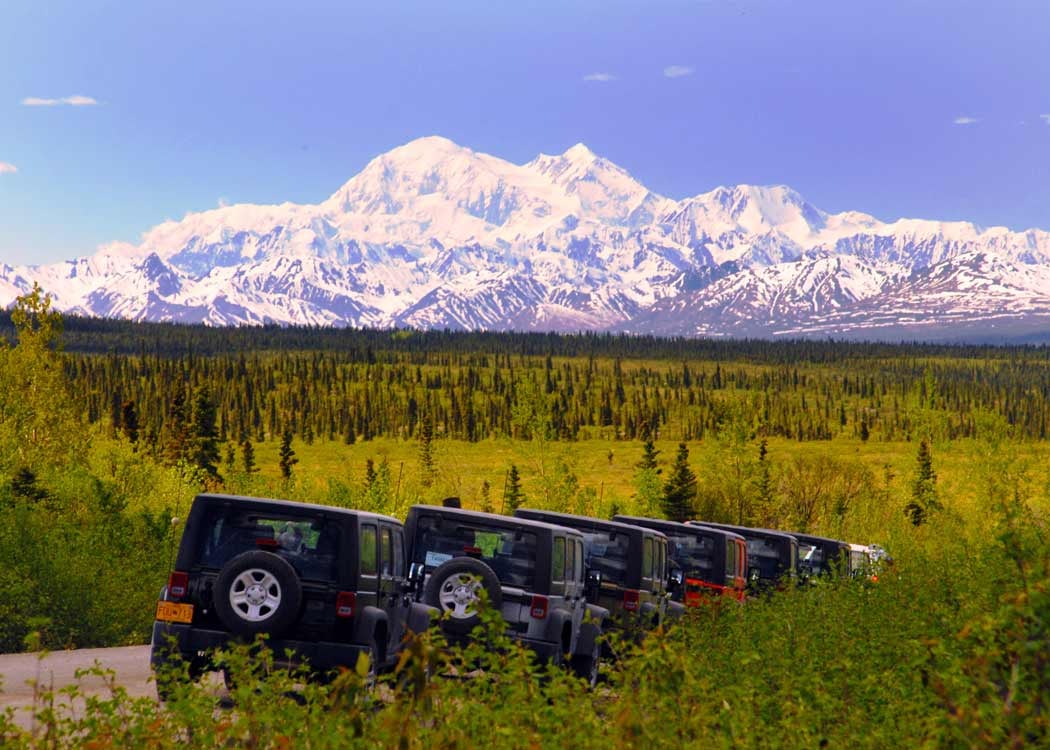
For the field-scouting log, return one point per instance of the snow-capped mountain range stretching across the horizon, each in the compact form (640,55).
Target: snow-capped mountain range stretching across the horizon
(433,235)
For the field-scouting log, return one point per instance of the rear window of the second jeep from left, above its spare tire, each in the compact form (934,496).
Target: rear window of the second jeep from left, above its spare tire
(511,553)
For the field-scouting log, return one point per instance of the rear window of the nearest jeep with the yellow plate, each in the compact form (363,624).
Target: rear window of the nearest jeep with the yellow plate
(311,546)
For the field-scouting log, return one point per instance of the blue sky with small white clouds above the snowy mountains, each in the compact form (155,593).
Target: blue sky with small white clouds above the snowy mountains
(926,109)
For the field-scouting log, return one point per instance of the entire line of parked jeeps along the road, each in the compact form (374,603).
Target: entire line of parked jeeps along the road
(328,585)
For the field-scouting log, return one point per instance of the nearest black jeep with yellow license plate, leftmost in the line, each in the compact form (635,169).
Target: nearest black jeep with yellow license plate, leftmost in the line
(324,584)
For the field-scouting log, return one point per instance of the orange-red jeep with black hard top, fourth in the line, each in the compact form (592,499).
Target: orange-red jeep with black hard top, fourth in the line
(708,561)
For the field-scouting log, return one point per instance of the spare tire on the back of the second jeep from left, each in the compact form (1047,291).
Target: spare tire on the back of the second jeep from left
(455,587)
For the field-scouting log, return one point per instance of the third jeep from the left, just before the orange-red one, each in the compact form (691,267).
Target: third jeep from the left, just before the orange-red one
(627,564)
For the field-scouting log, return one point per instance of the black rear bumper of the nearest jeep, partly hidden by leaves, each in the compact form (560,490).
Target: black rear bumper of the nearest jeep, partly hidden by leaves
(190,642)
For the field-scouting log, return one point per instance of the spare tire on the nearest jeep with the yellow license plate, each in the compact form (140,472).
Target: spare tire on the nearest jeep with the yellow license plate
(258,592)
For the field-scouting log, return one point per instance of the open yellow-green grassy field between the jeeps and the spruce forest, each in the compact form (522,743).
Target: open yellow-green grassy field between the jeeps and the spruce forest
(608,468)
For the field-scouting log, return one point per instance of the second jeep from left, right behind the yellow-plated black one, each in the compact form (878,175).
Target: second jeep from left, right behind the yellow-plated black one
(533,574)
